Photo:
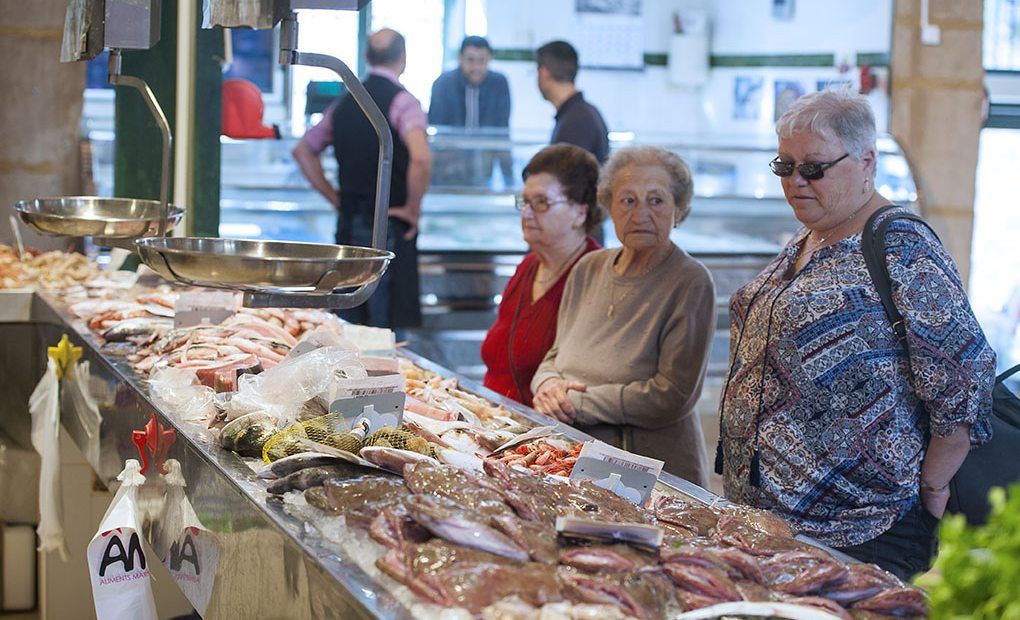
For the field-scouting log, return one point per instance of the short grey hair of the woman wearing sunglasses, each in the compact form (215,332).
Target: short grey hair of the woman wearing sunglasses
(837,115)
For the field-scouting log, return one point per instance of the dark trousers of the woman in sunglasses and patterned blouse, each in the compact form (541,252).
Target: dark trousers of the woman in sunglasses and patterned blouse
(906,549)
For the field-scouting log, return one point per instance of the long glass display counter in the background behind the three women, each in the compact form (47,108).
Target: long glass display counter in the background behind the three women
(471,240)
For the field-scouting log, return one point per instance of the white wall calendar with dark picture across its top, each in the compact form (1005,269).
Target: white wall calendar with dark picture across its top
(610,34)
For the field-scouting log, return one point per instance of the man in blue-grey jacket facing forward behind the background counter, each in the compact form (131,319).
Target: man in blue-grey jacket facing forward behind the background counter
(472,96)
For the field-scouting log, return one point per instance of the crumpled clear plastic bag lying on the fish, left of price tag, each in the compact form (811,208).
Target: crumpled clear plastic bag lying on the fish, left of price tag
(283,391)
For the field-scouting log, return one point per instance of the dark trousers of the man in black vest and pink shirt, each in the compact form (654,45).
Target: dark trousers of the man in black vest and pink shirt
(396,303)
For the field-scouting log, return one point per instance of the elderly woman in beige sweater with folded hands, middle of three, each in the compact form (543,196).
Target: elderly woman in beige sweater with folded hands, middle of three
(636,323)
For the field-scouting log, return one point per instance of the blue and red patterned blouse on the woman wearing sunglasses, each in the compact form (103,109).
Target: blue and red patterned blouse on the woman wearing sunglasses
(821,387)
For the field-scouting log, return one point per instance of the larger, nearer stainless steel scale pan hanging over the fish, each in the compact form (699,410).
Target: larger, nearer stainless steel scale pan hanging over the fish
(264,267)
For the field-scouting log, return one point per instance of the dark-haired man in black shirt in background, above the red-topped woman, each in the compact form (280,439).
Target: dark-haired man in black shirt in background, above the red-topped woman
(578,122)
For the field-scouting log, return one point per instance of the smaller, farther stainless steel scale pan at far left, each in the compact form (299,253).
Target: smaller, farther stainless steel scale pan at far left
(110,219)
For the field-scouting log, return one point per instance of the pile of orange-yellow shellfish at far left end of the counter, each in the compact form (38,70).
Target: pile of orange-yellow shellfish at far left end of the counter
(44,270)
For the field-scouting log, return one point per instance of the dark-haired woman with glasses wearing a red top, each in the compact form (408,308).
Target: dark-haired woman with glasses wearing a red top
(559,214)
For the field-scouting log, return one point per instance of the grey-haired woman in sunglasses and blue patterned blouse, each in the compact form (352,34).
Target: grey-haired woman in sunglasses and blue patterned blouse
(827,419)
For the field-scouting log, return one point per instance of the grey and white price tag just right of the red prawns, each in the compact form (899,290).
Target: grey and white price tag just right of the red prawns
(630,476)
